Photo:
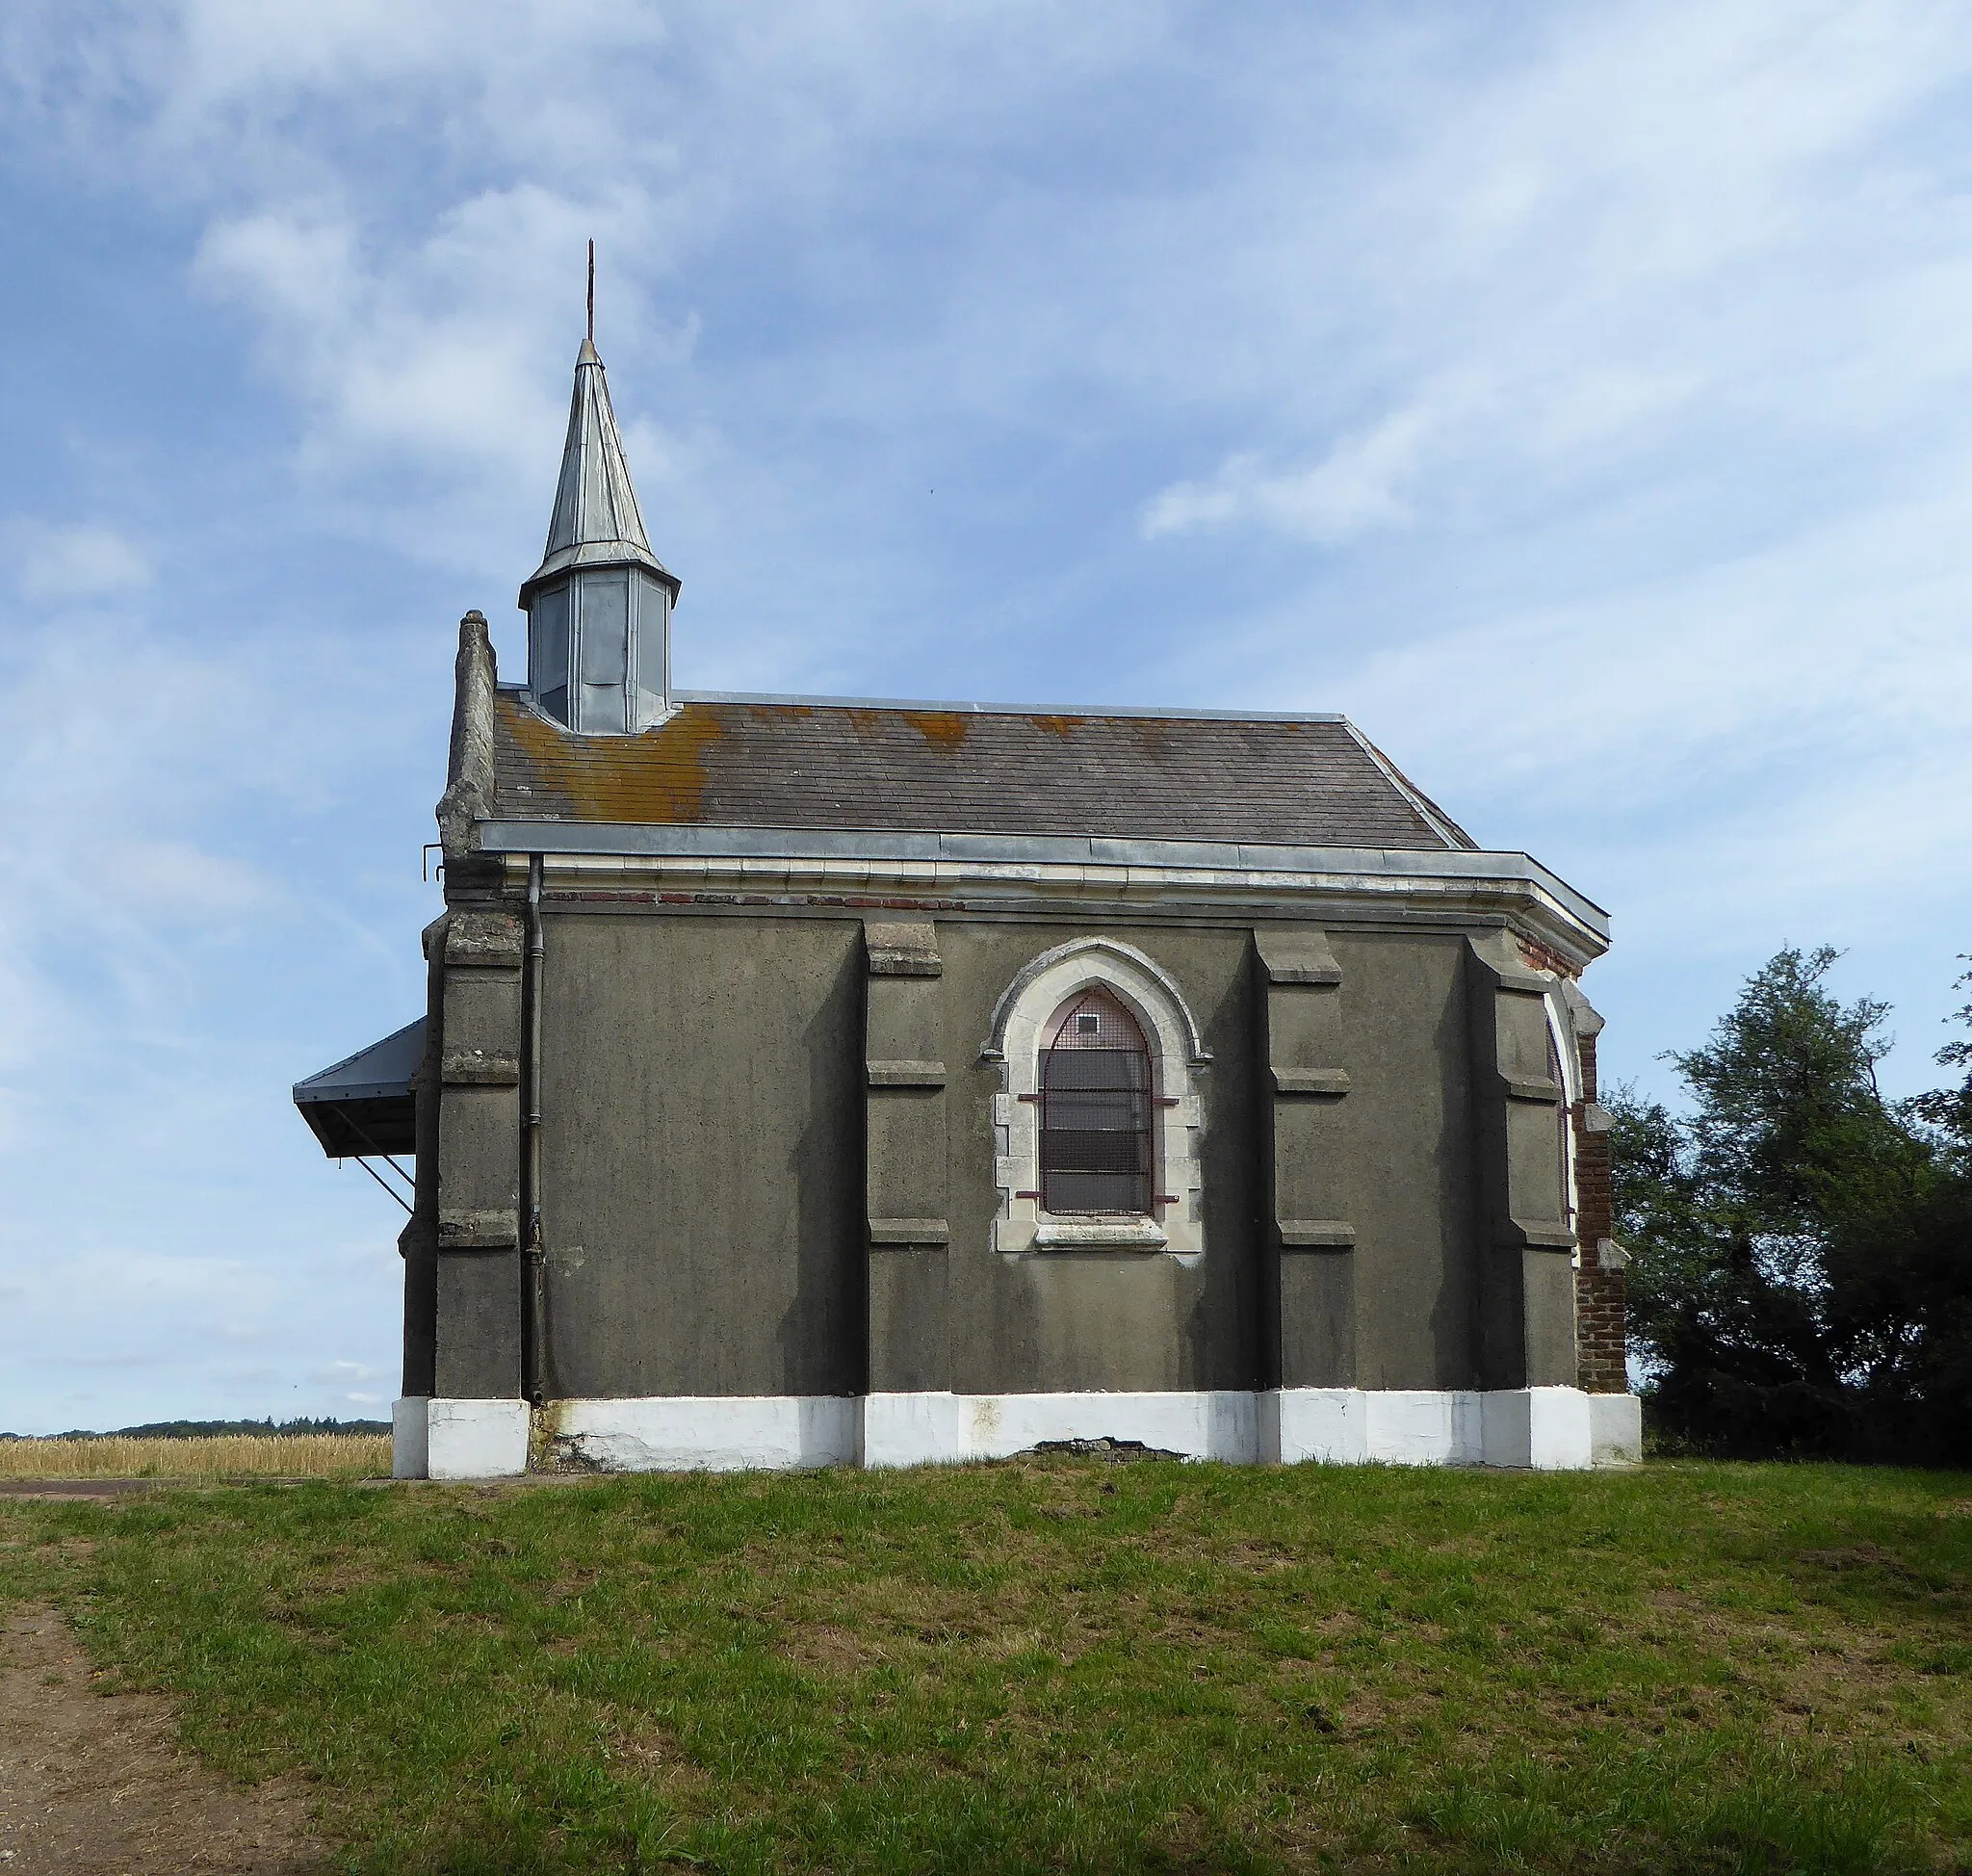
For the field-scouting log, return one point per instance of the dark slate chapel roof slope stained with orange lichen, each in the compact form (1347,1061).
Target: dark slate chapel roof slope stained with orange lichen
(934,768)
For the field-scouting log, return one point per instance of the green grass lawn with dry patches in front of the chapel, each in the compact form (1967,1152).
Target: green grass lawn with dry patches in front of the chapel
(1066,1666)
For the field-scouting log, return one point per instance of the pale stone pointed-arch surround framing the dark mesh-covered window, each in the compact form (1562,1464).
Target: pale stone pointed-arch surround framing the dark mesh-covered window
(1178,1058)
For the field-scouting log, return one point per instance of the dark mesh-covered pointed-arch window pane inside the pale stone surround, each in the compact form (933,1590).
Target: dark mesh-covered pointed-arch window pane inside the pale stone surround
(1095,1112)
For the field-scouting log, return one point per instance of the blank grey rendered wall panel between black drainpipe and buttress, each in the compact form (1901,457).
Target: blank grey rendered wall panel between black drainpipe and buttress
(703,1155)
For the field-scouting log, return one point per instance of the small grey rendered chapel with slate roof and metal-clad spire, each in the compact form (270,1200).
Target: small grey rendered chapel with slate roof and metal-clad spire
(853,1082)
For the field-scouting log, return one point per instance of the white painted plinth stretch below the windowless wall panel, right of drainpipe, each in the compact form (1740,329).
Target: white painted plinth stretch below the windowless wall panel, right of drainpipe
(703,1433)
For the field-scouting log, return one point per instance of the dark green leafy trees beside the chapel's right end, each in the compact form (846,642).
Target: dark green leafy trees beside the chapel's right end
(1801,1250)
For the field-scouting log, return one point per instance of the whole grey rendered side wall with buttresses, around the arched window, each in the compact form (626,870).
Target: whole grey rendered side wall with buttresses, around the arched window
(707,1192)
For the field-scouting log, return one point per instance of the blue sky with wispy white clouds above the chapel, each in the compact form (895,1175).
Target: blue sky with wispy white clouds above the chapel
(1579,397)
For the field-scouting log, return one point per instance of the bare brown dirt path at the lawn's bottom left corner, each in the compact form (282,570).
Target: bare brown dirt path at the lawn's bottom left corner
(98,1784)
